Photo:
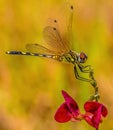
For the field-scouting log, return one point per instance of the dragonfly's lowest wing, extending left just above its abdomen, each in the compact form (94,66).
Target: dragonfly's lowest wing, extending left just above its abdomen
(36,48)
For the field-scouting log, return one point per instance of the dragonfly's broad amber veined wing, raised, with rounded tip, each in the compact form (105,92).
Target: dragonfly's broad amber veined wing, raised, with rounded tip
(54,39)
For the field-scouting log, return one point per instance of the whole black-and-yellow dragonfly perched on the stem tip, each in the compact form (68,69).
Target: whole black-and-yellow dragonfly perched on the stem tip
(60,48)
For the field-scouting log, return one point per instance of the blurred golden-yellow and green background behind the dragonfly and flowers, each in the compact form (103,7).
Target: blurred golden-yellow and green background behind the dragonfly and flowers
(30,87)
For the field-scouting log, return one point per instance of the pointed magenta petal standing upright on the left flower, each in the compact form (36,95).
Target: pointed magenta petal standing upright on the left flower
(72,105)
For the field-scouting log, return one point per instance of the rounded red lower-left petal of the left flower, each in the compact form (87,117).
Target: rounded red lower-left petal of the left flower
(63,115)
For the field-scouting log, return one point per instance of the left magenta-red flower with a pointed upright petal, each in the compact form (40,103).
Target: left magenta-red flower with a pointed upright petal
(68,110)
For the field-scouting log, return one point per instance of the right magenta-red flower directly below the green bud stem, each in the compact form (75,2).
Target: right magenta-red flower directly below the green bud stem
(94,113)
